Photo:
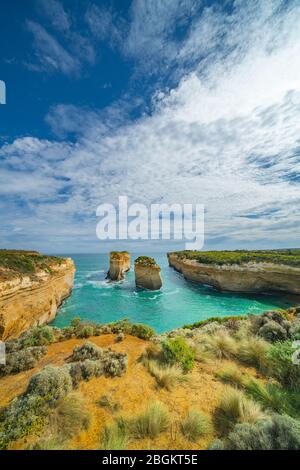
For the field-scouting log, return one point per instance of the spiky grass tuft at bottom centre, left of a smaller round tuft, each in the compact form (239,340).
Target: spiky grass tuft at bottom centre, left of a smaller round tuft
(150,423)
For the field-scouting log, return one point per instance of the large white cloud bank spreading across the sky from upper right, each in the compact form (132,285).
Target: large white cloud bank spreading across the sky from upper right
(227,136)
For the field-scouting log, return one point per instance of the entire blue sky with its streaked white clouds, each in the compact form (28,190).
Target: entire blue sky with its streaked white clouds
(175,101)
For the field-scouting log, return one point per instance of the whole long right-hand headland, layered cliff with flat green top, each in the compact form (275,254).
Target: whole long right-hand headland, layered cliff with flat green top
(269,271)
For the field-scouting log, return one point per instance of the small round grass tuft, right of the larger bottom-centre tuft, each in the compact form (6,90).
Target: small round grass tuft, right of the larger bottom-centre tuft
(195,425)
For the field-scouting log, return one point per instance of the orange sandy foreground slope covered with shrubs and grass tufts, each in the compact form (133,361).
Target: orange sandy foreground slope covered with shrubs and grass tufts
(222,384)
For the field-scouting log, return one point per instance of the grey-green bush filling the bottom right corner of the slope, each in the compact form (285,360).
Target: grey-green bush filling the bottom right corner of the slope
(279,433)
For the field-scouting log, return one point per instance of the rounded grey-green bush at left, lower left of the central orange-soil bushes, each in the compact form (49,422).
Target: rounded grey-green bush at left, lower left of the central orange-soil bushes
(51,383)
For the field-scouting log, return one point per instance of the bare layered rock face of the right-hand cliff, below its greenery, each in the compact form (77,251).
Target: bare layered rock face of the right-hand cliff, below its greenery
(250,277)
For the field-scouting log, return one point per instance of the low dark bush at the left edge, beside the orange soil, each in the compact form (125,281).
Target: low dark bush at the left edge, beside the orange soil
(22,360)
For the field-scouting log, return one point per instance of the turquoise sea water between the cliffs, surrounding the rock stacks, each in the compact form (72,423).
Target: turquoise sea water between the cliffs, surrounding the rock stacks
(178,303)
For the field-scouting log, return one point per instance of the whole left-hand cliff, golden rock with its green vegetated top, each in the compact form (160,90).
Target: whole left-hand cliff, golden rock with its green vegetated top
(32,287)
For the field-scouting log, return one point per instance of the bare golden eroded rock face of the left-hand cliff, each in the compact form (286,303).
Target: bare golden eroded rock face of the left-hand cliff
(33,299)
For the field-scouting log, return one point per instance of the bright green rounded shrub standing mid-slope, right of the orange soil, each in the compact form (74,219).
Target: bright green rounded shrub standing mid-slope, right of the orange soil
(177,351)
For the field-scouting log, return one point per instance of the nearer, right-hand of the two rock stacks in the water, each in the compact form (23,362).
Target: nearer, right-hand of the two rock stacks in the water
(147,273)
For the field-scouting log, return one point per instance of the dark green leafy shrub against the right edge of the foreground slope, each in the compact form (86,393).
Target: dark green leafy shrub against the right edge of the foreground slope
(281,367)
